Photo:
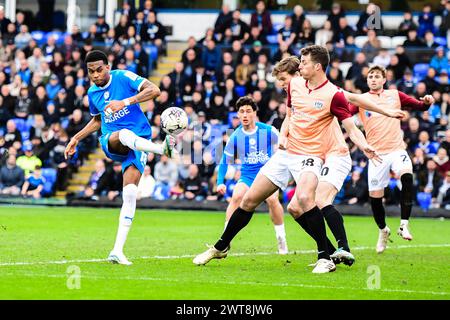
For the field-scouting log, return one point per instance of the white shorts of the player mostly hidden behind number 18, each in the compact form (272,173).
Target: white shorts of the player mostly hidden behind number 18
(335,170)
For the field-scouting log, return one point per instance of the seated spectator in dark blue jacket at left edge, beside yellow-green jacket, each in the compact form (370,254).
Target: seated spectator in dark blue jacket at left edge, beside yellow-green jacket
(11,177)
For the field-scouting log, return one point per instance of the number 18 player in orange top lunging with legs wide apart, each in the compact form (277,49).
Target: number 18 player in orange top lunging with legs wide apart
(314,104)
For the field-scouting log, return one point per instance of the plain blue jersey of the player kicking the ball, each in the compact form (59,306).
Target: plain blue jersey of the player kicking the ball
(122,84)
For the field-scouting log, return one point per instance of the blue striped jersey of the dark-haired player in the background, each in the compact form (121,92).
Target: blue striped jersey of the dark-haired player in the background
(253,149)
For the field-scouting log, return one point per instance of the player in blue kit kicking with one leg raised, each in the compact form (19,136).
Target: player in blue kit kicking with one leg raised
(114,99)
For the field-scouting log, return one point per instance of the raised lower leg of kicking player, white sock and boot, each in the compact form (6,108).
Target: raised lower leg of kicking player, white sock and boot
(131,140)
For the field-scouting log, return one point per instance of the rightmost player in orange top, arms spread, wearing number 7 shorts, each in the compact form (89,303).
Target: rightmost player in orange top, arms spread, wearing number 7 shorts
(386,136)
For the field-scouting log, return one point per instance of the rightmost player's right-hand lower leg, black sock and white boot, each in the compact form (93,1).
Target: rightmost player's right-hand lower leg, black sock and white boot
(406,200)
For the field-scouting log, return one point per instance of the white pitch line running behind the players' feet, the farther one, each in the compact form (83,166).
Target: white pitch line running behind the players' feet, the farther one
(242,254)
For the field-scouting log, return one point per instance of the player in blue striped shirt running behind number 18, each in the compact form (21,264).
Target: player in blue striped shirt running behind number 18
(253,143)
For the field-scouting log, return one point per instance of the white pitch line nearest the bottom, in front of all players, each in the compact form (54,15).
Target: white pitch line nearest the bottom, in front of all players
(251,283)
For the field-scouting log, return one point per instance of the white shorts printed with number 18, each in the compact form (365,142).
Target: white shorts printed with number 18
(283,166)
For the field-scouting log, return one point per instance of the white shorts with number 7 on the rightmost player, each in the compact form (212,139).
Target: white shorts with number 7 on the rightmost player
(379,175)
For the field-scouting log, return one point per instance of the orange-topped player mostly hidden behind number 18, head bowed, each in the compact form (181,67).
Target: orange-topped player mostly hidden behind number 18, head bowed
(337,164)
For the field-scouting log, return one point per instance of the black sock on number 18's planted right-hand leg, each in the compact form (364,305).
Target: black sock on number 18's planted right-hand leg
(316,223)
